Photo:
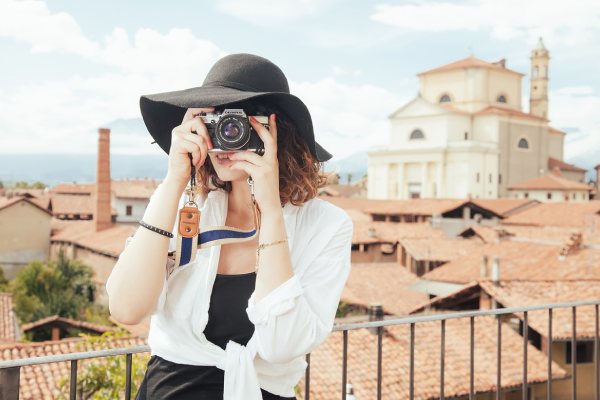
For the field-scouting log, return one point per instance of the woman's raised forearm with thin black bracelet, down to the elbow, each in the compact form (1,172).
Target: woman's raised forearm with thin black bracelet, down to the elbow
(138,276)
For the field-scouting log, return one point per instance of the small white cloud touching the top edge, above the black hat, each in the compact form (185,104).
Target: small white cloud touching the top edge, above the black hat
(271,12)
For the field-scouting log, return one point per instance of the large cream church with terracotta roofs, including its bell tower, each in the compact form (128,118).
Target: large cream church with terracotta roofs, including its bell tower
(465,134)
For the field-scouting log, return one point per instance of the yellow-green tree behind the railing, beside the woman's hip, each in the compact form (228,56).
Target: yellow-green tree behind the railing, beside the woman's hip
(103,378)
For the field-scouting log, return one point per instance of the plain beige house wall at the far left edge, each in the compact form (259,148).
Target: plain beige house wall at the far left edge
(24,236)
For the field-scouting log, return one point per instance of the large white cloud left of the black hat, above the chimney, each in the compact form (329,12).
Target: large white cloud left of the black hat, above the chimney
(63,115)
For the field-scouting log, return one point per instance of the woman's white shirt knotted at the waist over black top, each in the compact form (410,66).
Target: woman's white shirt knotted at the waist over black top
(290,321)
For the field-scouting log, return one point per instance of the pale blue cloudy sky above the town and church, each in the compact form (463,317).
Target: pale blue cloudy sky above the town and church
(69,67)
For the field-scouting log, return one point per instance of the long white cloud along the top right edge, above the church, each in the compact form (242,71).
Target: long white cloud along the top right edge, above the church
(558,21)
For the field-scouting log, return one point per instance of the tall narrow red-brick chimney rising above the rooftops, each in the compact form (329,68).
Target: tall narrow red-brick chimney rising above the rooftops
(102,206)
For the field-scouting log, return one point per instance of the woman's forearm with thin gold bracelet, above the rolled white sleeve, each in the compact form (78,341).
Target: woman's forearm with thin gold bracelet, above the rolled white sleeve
(275,264)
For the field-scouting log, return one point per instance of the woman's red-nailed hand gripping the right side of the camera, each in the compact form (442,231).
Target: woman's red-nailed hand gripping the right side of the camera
(264,169)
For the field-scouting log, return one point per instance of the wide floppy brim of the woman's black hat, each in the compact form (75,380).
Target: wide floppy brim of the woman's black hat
(162,112)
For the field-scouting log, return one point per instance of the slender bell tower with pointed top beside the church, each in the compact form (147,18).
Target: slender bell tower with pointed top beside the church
(538,94)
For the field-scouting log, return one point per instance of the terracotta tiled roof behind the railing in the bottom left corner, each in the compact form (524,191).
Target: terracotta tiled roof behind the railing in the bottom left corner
(41,382)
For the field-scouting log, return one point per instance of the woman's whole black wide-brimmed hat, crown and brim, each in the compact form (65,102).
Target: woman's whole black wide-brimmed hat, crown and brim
(233,78)
